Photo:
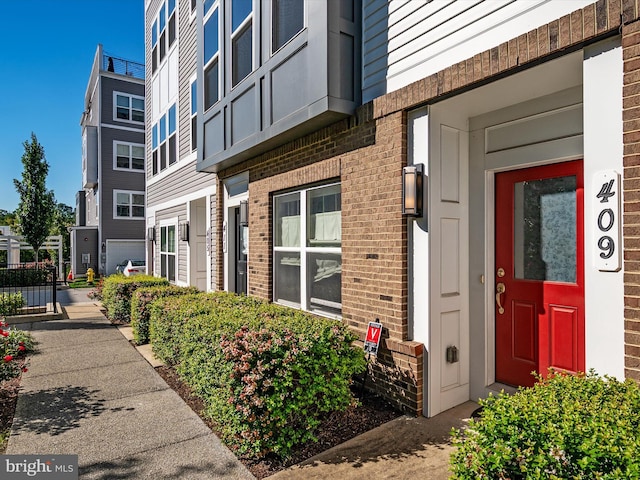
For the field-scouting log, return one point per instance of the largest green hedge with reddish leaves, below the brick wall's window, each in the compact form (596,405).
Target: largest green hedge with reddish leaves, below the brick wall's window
(268,374)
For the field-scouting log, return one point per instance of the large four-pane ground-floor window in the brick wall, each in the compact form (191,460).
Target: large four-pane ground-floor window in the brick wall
(307,253)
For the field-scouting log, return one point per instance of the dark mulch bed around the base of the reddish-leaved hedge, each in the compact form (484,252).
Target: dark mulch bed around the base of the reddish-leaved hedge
(372,412)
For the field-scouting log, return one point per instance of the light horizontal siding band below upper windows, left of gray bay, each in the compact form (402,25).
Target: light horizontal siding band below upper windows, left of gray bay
(181,181)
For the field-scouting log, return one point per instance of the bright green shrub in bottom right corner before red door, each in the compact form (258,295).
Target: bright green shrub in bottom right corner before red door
(566,426)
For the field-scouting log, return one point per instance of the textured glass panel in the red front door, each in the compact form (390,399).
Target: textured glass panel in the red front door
(545,229)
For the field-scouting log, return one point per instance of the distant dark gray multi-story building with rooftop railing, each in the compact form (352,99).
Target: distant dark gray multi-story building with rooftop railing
(110,208)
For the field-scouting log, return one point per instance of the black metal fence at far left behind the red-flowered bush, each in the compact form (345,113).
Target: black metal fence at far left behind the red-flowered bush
(36,282)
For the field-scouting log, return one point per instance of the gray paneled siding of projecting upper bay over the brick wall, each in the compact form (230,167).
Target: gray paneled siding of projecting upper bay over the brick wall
(311,81)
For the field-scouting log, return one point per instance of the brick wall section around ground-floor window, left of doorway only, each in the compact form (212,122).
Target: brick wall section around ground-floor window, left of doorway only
(367,158)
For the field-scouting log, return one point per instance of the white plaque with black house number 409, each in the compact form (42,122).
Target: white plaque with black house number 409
(606,214)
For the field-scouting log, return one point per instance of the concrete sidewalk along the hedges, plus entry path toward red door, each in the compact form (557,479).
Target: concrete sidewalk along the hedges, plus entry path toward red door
(89,392)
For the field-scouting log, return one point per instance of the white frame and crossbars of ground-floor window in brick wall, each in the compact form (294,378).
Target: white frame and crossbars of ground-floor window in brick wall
(302,250)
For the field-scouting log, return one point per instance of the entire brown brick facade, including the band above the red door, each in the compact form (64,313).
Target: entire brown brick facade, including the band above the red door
(367,152)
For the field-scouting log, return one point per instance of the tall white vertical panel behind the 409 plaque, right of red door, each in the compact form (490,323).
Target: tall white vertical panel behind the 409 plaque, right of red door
(603,150)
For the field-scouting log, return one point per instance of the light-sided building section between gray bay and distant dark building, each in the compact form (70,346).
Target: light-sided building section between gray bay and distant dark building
(180,200)
